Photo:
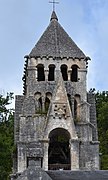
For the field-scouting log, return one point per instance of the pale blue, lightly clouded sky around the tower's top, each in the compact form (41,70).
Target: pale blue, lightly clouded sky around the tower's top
(22,22)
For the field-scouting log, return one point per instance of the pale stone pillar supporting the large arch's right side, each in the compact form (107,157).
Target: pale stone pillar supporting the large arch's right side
(74,151)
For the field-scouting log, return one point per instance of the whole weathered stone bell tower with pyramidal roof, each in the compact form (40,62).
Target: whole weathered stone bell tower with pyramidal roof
(55,119)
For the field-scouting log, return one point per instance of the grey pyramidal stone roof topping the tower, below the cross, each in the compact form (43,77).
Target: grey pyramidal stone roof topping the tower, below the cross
(55,42)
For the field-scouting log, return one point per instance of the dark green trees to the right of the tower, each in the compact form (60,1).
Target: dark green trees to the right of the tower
(102,120)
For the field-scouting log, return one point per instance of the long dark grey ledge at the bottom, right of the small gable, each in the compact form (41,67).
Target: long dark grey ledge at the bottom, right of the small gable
(78,175)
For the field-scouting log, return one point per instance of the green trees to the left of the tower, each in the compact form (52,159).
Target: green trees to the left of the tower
(6,136)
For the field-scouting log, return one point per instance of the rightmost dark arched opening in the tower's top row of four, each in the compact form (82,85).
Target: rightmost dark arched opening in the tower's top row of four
(74,74)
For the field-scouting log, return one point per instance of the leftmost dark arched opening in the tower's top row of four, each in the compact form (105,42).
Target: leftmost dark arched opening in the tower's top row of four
(40,73)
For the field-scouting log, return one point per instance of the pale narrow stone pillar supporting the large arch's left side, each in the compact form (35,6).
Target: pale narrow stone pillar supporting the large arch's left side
(45,158)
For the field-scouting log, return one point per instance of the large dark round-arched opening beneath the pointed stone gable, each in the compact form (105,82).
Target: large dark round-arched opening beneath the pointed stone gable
(59,151)
